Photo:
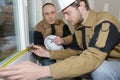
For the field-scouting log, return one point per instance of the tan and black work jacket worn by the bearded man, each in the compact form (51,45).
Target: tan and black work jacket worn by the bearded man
(102,33)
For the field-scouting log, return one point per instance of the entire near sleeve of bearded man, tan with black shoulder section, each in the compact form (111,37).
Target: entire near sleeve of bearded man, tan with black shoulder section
(92,57)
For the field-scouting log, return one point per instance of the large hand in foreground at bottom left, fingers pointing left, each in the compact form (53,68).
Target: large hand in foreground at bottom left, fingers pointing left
(25,71)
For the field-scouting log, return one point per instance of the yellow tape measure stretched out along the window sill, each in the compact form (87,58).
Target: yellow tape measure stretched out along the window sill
(16,56)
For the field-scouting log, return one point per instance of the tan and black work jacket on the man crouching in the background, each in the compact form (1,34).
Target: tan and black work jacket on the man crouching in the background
(59,28)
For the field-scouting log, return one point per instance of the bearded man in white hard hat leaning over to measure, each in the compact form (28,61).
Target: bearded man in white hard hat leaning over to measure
(98,36)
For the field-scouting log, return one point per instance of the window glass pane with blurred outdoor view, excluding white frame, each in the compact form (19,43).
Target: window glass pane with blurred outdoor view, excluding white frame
(7,29)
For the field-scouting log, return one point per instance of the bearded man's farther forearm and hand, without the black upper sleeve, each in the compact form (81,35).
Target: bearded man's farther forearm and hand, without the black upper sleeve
(56,54)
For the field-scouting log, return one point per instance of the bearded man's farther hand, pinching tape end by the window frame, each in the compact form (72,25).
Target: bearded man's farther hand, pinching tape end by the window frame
(39,51)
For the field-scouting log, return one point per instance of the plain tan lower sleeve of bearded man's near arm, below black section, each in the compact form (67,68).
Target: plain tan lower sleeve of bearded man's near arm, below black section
(77,65)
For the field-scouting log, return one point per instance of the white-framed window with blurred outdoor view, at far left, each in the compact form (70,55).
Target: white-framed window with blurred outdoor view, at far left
(13,28)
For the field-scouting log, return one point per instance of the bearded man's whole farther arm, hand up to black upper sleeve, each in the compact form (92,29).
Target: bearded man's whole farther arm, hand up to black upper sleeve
(73,50)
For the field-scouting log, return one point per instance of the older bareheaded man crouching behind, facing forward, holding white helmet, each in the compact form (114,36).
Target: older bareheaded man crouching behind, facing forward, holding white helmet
(51,25)
